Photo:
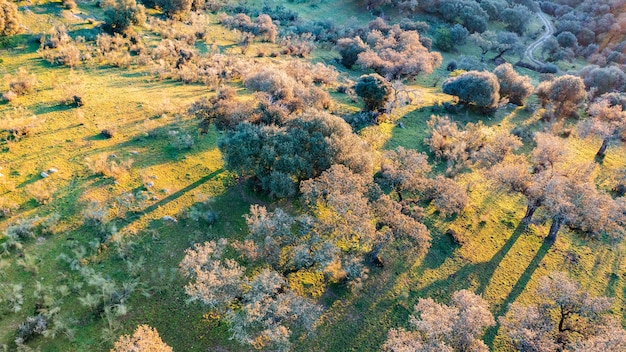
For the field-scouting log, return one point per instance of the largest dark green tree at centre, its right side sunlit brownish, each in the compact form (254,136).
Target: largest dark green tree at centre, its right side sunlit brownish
(279,157)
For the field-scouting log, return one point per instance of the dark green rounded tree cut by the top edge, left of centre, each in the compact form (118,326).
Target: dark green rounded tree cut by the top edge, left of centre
(120,15)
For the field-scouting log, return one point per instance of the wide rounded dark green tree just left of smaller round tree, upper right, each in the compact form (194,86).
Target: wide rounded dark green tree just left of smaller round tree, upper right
(474,87)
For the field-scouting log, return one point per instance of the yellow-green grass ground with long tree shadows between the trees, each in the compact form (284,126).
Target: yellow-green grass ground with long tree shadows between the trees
(499,259)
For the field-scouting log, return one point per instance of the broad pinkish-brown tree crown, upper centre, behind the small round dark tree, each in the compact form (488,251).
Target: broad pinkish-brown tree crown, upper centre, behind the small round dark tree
(398,54)
